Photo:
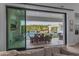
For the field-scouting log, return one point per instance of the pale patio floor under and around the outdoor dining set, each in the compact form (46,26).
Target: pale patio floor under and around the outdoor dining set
(53,42)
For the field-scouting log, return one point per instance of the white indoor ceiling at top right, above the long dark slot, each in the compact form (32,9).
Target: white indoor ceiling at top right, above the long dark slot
(74,6)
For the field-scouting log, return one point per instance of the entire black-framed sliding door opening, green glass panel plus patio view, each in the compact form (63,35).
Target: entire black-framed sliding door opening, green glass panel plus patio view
(27,29)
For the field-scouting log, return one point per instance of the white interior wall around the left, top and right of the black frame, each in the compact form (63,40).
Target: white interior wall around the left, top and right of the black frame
(70,16)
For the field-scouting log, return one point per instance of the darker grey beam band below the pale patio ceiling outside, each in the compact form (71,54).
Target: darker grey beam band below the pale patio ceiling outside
(43,19)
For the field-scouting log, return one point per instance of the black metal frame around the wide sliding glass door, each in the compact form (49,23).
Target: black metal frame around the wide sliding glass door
(13,7)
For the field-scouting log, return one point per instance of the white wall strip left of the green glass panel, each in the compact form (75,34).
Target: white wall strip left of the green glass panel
(2,27)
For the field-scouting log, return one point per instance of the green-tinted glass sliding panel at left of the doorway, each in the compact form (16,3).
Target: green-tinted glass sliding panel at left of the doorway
(16,28)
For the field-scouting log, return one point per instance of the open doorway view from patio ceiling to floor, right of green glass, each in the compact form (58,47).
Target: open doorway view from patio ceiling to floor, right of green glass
(43,28)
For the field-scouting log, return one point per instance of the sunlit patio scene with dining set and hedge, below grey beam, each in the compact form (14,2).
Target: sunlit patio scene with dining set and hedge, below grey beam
(39,33)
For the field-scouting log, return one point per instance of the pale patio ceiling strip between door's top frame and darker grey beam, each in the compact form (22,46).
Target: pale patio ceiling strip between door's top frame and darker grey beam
(45,14)
